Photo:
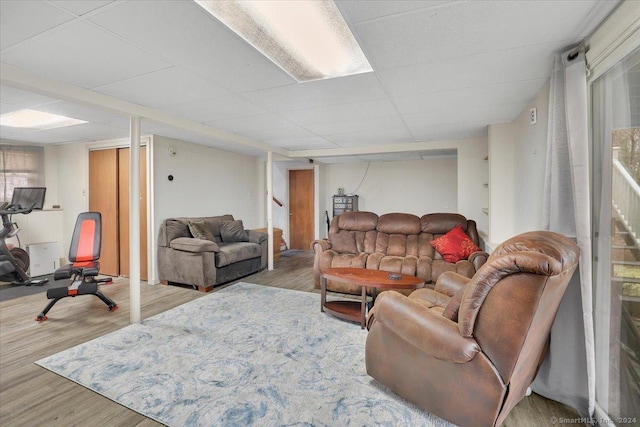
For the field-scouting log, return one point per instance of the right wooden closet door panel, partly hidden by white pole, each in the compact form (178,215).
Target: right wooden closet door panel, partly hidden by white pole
(123,179)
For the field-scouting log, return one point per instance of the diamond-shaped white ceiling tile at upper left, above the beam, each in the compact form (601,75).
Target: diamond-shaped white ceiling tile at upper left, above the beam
(83,55)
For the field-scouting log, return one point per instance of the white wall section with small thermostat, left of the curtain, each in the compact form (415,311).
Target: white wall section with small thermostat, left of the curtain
(517,156)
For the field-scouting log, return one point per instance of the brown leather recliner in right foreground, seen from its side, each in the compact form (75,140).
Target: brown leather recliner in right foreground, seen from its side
(468,350)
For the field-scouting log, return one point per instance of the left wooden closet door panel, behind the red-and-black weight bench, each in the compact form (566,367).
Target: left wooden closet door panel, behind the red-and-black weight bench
(103,198)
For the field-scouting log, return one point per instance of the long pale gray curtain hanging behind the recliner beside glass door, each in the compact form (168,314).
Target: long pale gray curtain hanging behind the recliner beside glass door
(568,373)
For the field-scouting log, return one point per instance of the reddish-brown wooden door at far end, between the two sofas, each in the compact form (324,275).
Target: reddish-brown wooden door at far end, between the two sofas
(300,209)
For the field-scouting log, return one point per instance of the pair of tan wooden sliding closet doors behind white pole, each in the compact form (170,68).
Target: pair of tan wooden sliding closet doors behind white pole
(109,195)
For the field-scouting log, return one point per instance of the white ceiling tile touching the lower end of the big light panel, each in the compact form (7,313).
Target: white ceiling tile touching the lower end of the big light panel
(343,90)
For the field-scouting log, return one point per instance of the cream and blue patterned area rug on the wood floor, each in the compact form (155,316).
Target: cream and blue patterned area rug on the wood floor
(245,355)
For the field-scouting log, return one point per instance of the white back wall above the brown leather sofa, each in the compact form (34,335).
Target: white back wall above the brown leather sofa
(415,186)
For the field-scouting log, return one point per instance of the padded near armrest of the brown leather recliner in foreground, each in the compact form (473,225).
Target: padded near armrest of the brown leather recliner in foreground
(426,330)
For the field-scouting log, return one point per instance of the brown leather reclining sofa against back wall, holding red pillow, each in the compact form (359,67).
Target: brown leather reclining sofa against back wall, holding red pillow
(394,242)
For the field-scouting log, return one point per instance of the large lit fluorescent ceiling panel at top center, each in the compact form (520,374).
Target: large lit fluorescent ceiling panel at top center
(309,39)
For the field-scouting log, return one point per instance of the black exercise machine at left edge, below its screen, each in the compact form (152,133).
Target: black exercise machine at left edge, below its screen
(14,262)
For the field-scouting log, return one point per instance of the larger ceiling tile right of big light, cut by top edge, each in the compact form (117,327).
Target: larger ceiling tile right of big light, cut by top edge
(467,28)
